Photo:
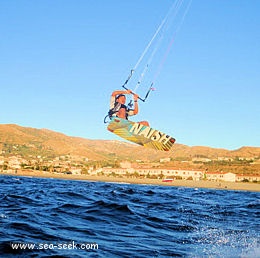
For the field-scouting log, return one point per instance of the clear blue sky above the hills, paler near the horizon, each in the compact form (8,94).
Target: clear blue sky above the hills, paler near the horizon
(60,60)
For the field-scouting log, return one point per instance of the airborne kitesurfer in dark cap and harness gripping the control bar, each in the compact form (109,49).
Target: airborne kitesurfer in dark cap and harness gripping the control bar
(118,107)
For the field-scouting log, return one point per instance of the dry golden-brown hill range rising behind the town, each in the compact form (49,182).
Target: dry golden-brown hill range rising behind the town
(26,141)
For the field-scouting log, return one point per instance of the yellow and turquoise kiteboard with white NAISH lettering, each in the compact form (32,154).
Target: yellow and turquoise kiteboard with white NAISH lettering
(140,134)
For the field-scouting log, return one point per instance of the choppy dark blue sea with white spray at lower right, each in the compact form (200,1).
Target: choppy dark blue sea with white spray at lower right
(45,217)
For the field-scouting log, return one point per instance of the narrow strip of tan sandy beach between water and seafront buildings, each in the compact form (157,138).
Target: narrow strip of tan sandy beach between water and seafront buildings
(254,187)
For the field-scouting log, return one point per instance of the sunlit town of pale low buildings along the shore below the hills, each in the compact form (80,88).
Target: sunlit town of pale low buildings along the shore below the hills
(77,165)
